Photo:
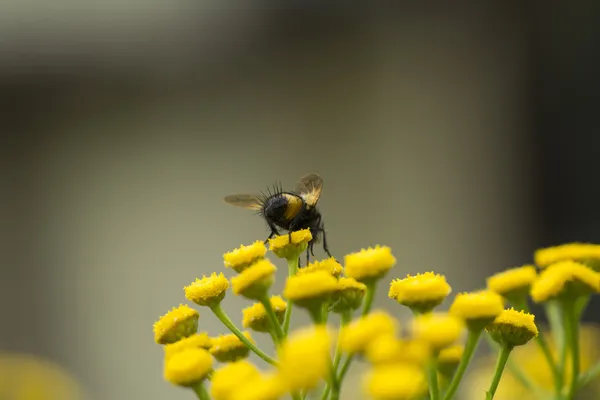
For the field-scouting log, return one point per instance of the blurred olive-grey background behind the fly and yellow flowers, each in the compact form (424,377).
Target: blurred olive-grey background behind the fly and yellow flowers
(463,136)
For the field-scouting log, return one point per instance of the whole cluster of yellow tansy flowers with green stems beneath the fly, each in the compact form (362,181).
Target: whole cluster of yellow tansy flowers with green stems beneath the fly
(410,360)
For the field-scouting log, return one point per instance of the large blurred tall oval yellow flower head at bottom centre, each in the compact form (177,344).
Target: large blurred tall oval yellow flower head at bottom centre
(305,359)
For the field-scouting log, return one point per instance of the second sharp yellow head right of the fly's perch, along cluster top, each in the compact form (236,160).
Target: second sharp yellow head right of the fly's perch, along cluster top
(421,292)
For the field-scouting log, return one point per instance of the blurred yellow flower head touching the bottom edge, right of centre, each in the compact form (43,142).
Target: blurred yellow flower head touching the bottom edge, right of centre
(395,382)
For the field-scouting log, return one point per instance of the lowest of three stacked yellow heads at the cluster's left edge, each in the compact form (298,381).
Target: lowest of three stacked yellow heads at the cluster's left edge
(188,367)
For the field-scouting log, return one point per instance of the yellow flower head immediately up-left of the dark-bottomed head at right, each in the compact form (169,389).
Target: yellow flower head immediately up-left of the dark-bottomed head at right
(477,309)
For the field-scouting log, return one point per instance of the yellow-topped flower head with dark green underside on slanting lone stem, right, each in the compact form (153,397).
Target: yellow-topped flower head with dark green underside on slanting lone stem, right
(513,328)
